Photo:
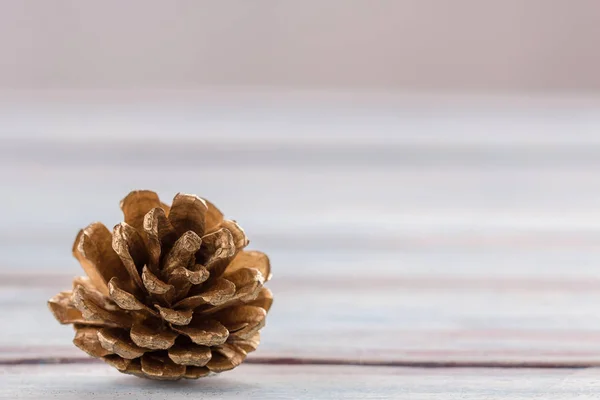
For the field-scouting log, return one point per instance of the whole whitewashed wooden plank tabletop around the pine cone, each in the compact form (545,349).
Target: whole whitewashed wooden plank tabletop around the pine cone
(420,250)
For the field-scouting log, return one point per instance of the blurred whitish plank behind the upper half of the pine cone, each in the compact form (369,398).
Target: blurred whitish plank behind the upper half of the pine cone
(463,221)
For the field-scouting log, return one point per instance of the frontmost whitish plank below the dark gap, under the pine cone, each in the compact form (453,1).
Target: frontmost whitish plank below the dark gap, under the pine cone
(302,382)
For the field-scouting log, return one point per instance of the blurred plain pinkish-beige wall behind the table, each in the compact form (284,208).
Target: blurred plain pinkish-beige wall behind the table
(480,45)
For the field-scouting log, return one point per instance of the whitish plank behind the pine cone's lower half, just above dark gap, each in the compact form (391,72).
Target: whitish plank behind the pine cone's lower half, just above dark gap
(384,318)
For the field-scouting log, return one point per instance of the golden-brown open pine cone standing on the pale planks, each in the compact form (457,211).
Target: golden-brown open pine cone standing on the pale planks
(170,293)
